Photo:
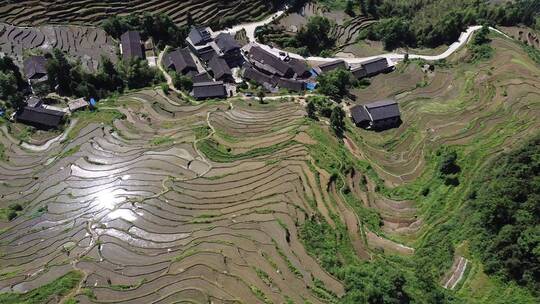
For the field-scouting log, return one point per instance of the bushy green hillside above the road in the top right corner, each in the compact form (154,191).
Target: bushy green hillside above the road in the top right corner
(436,22)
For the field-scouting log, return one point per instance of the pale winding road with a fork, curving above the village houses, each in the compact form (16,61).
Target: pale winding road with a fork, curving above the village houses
(391,57)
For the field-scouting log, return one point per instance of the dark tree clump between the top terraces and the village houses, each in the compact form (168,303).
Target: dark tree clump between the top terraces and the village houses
(159,27)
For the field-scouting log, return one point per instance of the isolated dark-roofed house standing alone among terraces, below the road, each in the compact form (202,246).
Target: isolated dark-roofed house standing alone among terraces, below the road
(377,115)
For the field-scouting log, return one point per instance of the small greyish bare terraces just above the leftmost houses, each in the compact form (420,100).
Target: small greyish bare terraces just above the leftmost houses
(85,43)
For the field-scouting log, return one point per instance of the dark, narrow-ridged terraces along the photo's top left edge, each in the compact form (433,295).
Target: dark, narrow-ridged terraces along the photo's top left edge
(34,12)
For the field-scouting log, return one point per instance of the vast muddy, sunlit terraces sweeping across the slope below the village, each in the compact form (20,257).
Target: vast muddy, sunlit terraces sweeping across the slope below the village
(204,203)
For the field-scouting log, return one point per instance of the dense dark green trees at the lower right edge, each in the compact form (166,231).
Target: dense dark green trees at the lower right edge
(506,216)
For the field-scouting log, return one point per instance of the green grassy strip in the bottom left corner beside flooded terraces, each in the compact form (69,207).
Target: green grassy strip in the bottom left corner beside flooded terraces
(46,293)
